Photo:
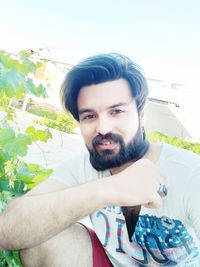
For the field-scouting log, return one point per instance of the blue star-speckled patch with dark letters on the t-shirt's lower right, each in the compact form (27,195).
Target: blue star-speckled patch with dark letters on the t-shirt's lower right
(163,241)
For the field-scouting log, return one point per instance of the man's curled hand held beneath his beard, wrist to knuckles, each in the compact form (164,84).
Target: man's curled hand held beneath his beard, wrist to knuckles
(138,184)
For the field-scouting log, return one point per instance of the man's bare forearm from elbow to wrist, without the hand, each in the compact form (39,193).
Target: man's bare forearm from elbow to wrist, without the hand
(29,221)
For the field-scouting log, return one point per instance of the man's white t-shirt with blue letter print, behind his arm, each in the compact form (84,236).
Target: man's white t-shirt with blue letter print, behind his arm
(167,236)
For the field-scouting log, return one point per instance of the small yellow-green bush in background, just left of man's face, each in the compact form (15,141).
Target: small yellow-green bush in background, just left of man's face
(64,122)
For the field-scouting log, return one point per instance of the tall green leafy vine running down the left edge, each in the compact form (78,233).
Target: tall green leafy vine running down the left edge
(17,176)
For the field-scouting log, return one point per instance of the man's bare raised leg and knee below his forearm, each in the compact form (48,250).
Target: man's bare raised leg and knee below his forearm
(70,248)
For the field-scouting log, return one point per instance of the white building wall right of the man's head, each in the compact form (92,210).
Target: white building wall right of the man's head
(172,120)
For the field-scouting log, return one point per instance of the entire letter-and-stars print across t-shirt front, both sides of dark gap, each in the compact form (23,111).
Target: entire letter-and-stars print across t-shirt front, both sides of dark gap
(157,241)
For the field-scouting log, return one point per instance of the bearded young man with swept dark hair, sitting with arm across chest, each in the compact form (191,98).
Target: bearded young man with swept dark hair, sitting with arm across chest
(120,183)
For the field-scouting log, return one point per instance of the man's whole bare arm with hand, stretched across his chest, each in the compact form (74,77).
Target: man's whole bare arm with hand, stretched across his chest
(51,208)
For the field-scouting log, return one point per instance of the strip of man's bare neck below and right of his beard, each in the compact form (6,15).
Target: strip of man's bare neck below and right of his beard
(153,154)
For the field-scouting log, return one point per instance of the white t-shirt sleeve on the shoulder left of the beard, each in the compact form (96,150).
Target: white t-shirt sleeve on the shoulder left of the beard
(75,170)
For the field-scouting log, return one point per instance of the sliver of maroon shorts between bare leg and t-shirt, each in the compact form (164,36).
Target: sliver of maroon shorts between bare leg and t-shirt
(100,259)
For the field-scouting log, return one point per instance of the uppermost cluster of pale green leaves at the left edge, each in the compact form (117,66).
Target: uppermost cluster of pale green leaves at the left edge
(16,74)
